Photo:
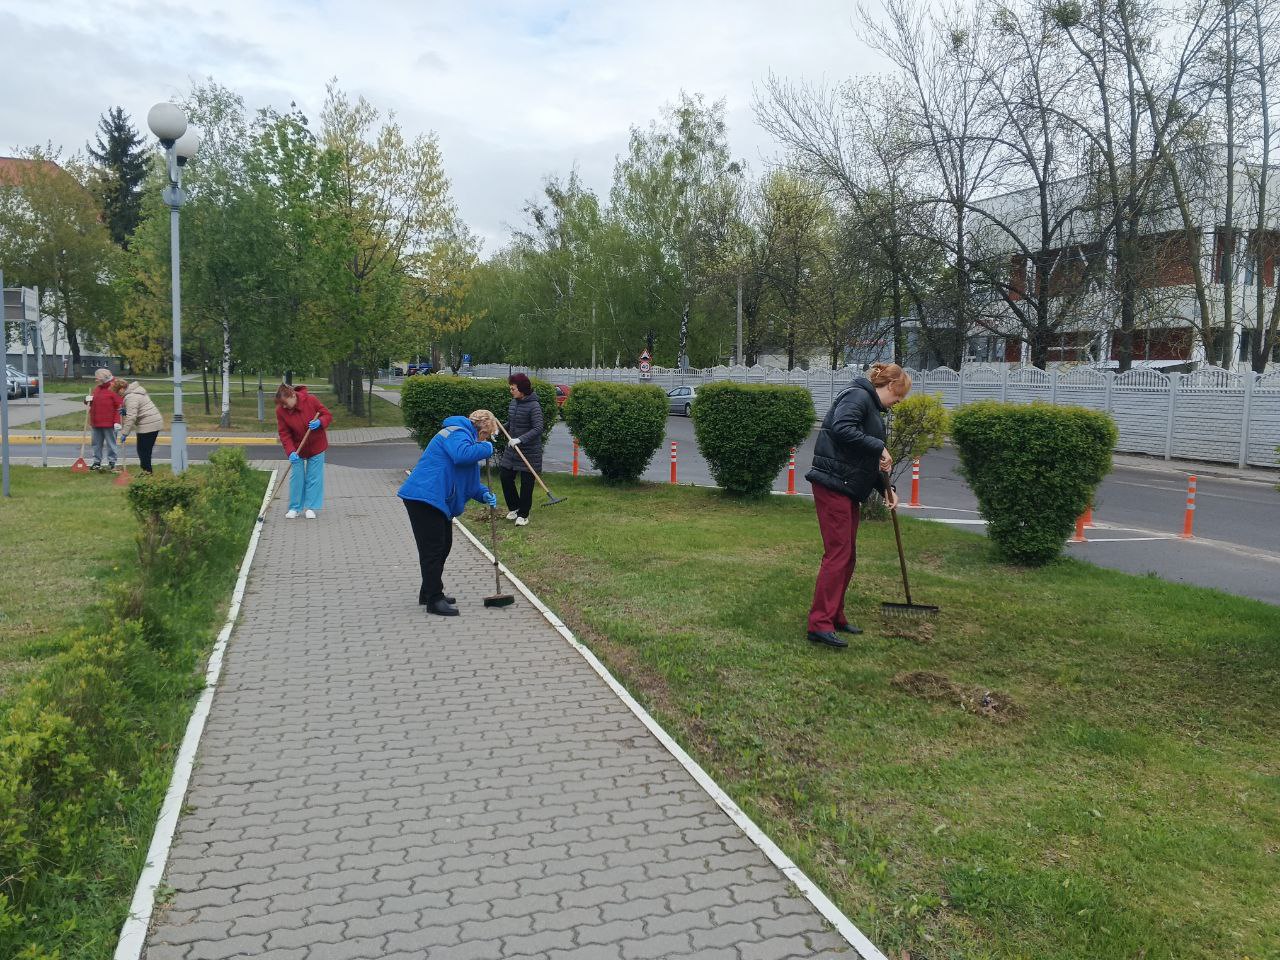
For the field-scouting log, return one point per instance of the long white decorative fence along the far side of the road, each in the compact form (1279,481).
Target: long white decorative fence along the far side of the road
(1213,415)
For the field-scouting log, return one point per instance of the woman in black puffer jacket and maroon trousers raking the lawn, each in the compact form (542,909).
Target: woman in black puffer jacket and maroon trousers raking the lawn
(849,461)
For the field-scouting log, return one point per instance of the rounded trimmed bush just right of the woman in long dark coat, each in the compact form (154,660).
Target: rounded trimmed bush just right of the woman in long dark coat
(619,426)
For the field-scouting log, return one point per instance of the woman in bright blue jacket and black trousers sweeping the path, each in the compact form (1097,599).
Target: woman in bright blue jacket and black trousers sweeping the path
(437,491)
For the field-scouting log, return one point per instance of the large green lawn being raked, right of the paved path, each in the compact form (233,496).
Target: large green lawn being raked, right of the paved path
(1118,796)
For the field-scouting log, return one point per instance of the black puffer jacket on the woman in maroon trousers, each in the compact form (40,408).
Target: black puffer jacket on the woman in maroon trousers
(851,442)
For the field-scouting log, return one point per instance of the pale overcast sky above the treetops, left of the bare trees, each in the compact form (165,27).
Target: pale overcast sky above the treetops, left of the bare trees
(515,90)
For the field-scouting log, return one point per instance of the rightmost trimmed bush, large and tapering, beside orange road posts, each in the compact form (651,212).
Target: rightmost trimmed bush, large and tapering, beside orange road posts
(1034,469)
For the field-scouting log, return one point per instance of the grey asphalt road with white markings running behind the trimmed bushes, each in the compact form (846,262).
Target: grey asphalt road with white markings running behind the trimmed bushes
(1139,511)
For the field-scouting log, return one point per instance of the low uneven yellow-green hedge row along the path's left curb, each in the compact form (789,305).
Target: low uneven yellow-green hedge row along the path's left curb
(88,746)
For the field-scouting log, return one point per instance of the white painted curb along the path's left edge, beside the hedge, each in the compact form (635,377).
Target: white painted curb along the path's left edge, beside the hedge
(134,934)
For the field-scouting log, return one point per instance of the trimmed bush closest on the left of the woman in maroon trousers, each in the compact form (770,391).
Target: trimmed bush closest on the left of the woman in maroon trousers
(747,432)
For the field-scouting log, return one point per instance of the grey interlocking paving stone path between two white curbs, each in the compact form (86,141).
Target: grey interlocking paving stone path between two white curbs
(377,783)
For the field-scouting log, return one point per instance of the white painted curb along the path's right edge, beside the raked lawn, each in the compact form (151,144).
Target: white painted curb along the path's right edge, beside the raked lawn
(835,917)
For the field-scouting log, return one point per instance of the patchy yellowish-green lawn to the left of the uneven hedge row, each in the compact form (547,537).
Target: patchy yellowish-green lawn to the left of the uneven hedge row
(65,536)
